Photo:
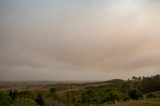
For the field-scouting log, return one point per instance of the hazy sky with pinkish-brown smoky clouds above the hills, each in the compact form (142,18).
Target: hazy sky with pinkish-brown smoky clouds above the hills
(79,40)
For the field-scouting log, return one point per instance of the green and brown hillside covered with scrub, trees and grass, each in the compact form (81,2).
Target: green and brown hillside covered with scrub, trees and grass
(138,91)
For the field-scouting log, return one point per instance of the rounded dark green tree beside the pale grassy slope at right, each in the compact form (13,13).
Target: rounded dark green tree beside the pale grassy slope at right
(135,94)
